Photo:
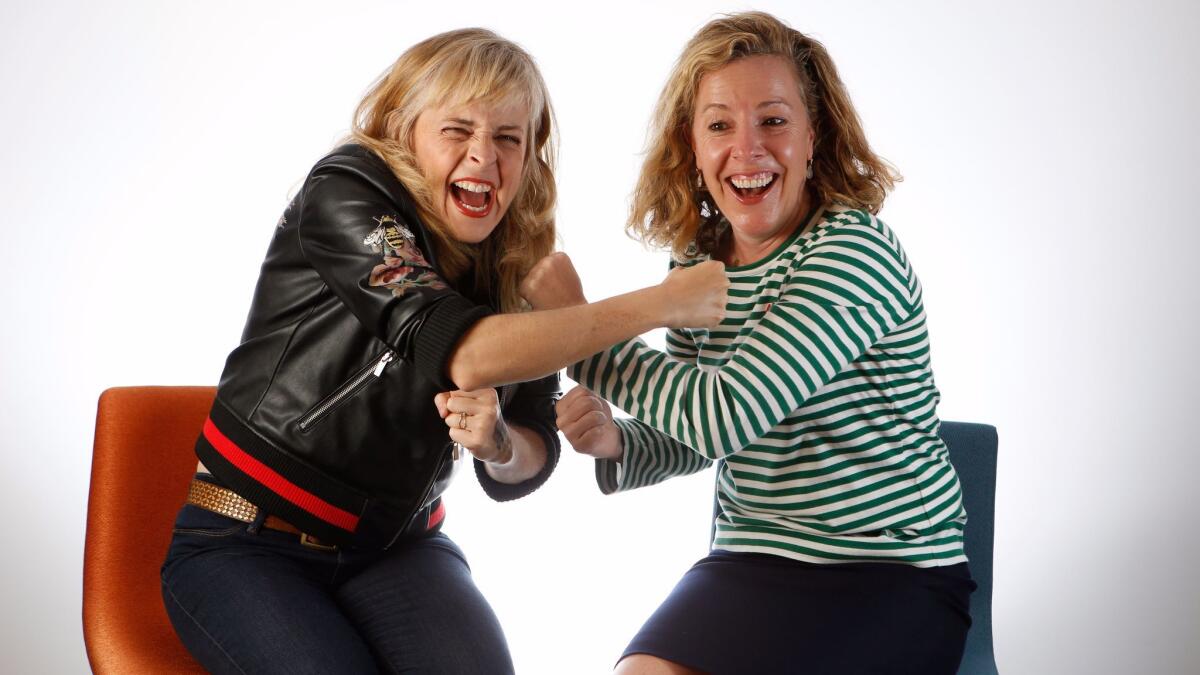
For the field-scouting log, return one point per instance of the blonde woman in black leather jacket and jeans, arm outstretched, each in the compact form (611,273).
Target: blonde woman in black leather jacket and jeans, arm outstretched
(383,342)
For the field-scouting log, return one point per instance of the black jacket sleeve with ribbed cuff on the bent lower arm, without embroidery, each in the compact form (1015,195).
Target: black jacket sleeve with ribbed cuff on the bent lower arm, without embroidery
(533,408)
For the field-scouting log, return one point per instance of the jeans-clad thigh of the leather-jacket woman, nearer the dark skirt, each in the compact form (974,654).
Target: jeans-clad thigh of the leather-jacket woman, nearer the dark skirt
(422,613)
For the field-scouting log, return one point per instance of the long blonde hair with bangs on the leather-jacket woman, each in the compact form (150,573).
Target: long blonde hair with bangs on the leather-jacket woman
(465,67)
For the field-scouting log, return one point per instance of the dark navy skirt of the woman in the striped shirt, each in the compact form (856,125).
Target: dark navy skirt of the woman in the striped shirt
(755,613)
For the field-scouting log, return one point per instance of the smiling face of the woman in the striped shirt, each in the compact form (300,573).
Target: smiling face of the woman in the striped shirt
(753,141)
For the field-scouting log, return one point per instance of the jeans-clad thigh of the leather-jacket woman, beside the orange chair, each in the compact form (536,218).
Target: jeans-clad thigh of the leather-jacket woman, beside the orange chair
(247,604)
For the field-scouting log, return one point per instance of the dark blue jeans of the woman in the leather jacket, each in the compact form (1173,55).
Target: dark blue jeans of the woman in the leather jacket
(249,600)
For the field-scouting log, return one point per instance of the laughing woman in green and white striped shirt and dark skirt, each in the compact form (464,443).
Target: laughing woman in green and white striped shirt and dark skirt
(839,537)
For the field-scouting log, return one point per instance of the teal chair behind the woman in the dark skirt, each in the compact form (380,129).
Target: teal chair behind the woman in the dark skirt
(974,450)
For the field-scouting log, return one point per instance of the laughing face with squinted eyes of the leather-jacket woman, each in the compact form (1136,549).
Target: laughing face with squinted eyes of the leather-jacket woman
(473,156)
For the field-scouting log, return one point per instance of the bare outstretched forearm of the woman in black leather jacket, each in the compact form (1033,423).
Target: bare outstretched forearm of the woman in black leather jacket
(515,348)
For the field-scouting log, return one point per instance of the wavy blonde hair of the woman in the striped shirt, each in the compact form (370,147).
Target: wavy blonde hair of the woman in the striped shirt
(669,210)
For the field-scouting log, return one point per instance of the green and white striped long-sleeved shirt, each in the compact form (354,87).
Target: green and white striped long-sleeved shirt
(818,392)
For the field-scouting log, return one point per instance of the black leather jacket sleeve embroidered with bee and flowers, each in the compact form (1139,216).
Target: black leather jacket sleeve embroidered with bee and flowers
(365,242)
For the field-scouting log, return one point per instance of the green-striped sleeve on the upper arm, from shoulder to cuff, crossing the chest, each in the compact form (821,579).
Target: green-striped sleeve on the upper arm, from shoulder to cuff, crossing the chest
(848,291)
